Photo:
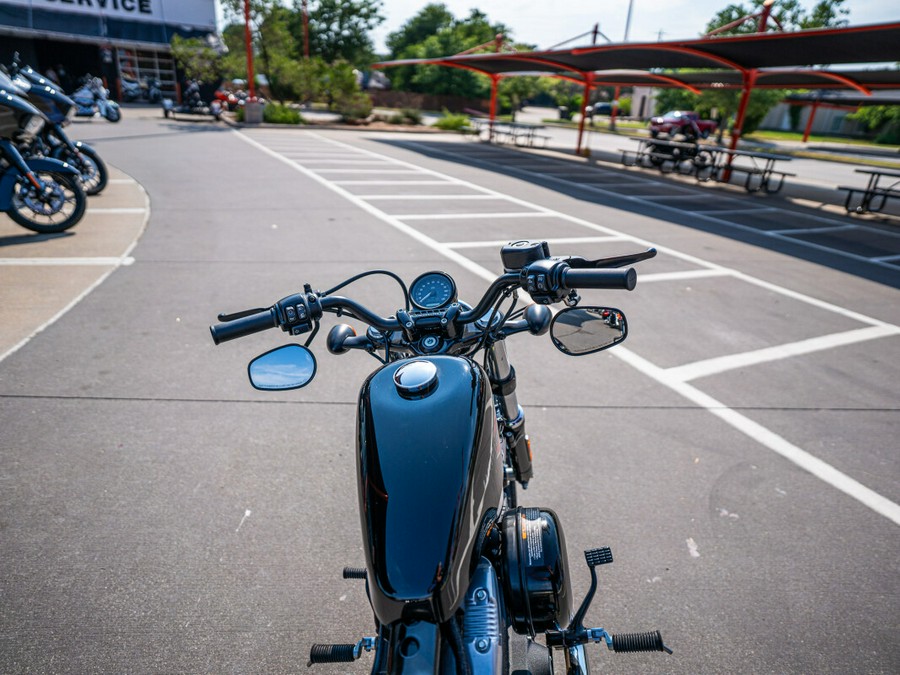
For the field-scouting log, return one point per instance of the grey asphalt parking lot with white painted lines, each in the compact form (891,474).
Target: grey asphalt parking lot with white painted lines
(738,452)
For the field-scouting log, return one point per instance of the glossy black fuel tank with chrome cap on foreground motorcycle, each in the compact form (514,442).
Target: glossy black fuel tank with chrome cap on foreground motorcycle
(430,473)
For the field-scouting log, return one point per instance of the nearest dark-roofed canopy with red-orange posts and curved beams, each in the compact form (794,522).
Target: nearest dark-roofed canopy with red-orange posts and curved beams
(744,61)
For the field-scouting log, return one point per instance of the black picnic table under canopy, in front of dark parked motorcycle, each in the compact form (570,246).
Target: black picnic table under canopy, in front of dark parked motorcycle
(706,161)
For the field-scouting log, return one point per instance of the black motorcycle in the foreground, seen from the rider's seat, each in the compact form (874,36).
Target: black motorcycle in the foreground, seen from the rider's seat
(453,562)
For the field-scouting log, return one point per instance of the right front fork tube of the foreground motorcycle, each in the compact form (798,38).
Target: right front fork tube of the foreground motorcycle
(512,418)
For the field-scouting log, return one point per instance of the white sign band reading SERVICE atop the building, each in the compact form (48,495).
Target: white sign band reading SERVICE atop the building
(192,13)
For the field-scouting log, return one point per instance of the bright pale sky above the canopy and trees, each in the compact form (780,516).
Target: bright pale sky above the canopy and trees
(546,24)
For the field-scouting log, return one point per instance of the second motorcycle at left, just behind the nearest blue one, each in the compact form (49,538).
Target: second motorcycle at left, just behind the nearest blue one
(53,141)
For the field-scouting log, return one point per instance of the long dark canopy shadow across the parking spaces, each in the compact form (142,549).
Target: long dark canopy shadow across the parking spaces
(768,221)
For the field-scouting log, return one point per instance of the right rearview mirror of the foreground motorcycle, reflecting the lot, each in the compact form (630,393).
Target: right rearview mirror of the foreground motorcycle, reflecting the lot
(577,331)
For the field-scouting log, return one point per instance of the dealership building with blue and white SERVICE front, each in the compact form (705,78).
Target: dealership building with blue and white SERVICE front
(115,39)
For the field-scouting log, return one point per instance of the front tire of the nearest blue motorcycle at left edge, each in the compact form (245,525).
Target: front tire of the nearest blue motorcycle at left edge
(60,208)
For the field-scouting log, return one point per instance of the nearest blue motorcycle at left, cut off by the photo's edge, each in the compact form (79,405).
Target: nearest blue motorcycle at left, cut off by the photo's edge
(41,194)
